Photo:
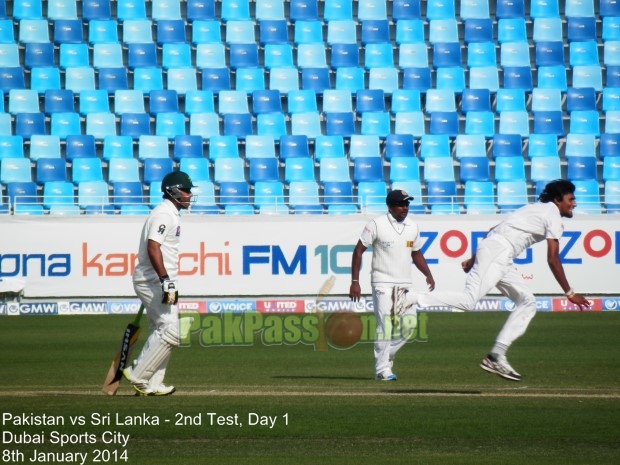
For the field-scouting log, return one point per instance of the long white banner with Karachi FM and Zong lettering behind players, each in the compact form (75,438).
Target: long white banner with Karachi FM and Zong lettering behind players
(77,259)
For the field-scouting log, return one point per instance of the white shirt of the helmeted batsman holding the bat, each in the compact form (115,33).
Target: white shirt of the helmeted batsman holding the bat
(164,226)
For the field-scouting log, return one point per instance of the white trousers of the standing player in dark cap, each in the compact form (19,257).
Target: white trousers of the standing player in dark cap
(388,340)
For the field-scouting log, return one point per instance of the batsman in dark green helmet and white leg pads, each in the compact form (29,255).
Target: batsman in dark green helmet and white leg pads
(154,281)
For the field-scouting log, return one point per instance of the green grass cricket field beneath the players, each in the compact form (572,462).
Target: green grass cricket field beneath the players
(443,409)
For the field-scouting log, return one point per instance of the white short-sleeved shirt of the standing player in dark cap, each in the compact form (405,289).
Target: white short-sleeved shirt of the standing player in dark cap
(392,244)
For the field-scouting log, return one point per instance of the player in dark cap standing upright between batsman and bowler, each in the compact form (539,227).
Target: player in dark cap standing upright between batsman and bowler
(396,243)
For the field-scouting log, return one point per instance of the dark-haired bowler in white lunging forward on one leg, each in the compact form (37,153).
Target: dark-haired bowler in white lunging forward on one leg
(492,266)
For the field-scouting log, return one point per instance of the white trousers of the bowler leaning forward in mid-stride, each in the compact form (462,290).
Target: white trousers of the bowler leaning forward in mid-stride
(493,267)
